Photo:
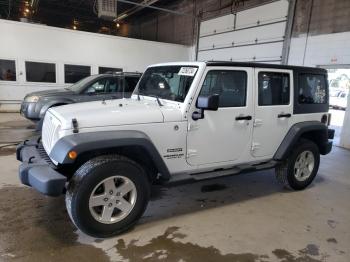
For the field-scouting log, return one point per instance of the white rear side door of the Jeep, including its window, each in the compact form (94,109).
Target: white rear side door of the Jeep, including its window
(273,110)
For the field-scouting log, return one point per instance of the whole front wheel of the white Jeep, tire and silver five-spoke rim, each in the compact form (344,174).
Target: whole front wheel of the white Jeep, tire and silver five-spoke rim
(107,195)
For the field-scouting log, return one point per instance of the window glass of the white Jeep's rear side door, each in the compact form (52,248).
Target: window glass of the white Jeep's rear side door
(274,88)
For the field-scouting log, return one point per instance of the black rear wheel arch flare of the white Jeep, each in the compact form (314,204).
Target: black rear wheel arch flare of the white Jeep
(314,131)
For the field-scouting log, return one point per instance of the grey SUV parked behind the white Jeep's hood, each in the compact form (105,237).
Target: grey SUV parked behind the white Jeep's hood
(91,88)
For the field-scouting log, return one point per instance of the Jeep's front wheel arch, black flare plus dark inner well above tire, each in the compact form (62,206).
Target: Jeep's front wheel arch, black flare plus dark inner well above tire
(132,144)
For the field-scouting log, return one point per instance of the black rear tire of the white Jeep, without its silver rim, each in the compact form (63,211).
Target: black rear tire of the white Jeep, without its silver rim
(285,172)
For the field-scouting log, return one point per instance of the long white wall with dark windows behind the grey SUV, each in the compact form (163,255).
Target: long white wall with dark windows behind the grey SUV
(30,42)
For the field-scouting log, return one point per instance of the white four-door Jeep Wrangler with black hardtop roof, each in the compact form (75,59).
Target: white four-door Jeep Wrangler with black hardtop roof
(186,120)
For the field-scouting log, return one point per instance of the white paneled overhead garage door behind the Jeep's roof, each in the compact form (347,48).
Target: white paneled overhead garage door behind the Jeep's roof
(254,34)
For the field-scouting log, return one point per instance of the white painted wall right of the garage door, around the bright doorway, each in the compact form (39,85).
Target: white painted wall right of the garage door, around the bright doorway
(324,50)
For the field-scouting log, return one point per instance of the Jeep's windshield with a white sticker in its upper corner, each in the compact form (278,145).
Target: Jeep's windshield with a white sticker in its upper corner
(167,82)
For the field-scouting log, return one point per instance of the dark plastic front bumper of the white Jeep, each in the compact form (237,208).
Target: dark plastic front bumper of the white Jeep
(36,170)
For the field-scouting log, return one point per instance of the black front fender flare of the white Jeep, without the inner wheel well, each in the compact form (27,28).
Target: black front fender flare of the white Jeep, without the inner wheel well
(92,141)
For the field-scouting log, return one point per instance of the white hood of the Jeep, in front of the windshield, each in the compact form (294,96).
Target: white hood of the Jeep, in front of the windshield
(115,113)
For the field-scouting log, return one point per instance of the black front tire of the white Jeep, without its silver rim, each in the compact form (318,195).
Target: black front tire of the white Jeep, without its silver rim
(88,176)
